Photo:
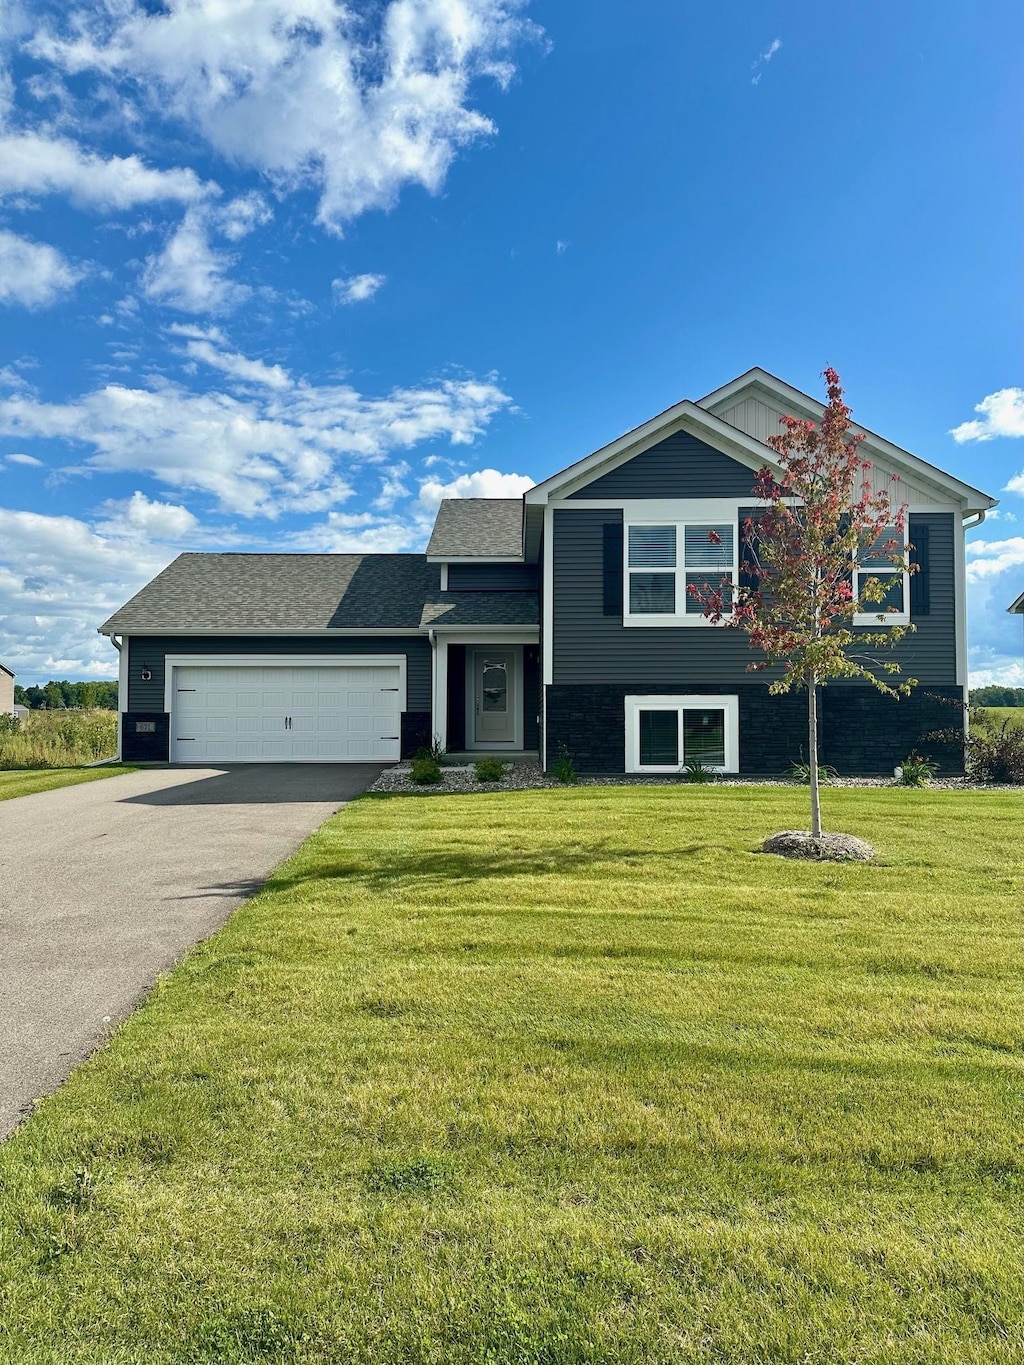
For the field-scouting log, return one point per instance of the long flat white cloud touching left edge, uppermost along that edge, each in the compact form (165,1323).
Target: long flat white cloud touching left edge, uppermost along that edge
(35,164)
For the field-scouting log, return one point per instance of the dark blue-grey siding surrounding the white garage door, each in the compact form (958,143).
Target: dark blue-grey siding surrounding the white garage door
(152,652)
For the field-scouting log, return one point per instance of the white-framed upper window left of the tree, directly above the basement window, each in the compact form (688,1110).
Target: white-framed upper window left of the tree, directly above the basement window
(664,559)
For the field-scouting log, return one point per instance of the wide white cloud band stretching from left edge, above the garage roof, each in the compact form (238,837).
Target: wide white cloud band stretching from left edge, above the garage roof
(263,452)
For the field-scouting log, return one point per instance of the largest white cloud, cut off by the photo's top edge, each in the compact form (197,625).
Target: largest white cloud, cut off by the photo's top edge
(308,92)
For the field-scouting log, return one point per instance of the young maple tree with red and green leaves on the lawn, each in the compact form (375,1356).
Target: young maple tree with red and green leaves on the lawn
(798,604)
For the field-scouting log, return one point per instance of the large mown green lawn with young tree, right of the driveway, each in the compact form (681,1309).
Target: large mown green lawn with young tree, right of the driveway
(555,1078)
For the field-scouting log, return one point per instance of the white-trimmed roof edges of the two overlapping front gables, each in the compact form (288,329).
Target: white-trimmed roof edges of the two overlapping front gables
(707,421)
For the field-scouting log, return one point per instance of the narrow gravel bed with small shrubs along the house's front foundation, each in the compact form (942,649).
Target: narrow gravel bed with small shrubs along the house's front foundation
(524,777)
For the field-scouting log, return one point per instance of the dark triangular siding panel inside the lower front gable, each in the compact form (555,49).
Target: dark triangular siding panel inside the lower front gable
(682,466)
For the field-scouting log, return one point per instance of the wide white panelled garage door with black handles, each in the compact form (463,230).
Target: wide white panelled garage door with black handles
(293,715)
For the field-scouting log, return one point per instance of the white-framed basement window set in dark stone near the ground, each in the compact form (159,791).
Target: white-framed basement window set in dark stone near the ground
(664,734)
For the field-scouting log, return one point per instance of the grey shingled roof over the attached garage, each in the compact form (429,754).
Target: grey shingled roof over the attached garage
(219,593)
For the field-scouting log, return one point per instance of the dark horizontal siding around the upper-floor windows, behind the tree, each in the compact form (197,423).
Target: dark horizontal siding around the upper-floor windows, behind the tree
(591,648)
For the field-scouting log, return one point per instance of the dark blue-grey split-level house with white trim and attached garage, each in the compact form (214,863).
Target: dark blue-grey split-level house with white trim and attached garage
(552,623)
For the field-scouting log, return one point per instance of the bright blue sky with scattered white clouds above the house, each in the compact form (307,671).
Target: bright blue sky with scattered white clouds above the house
(281,275)
